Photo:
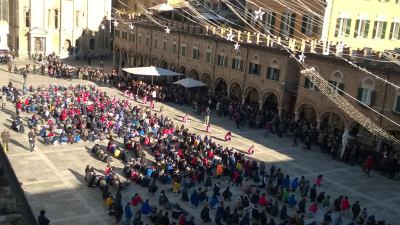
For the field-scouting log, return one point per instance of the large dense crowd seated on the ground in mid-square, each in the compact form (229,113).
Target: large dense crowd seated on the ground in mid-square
(202,171)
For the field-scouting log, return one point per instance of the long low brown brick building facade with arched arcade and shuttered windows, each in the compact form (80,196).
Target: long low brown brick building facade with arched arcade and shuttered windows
(264,75)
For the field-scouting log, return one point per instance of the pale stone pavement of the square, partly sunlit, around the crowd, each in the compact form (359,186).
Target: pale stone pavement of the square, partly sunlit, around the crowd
(52,176)
